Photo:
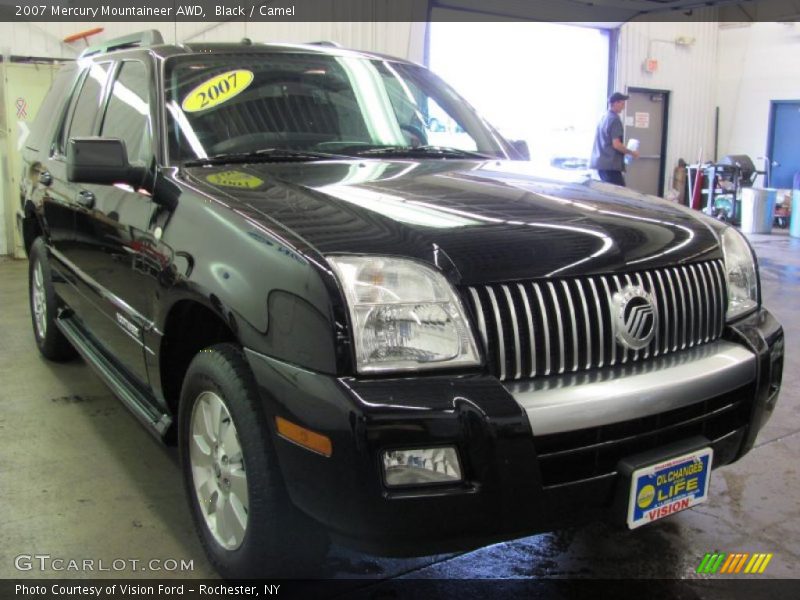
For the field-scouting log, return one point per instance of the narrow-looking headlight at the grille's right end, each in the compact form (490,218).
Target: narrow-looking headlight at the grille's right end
(740,274)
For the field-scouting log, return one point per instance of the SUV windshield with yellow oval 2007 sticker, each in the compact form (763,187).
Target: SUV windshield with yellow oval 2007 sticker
(227,104)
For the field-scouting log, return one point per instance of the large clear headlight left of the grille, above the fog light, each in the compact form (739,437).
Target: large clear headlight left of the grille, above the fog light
(405,315)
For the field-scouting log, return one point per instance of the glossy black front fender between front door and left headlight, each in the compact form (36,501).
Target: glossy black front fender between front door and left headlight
(277,298)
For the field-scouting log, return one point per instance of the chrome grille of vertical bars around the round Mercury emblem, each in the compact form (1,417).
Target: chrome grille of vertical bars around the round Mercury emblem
(541,328)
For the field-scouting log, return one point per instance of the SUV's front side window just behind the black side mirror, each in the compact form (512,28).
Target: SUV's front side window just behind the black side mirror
(128,113)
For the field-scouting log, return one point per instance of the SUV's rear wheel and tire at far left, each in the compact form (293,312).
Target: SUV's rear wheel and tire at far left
(44,306)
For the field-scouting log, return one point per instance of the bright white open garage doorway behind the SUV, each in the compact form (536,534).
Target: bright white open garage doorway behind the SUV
(542,102)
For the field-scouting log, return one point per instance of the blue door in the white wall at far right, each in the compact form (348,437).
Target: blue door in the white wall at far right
(784,142)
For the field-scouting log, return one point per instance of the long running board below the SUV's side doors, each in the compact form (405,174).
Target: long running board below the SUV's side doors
(135,400)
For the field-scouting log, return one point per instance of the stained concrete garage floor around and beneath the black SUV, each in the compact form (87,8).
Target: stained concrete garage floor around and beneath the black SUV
(80,479)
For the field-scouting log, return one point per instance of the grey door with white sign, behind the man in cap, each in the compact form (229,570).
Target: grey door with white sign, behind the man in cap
(646,119)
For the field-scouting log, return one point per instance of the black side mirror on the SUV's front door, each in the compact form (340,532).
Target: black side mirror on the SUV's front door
(102,161)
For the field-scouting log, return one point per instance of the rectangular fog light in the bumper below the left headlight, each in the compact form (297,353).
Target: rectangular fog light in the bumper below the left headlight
(421,466)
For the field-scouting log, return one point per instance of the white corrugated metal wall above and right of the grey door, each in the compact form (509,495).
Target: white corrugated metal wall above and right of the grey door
(688,72)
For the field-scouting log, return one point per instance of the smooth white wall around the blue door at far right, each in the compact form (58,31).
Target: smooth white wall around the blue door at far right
(757,62)
